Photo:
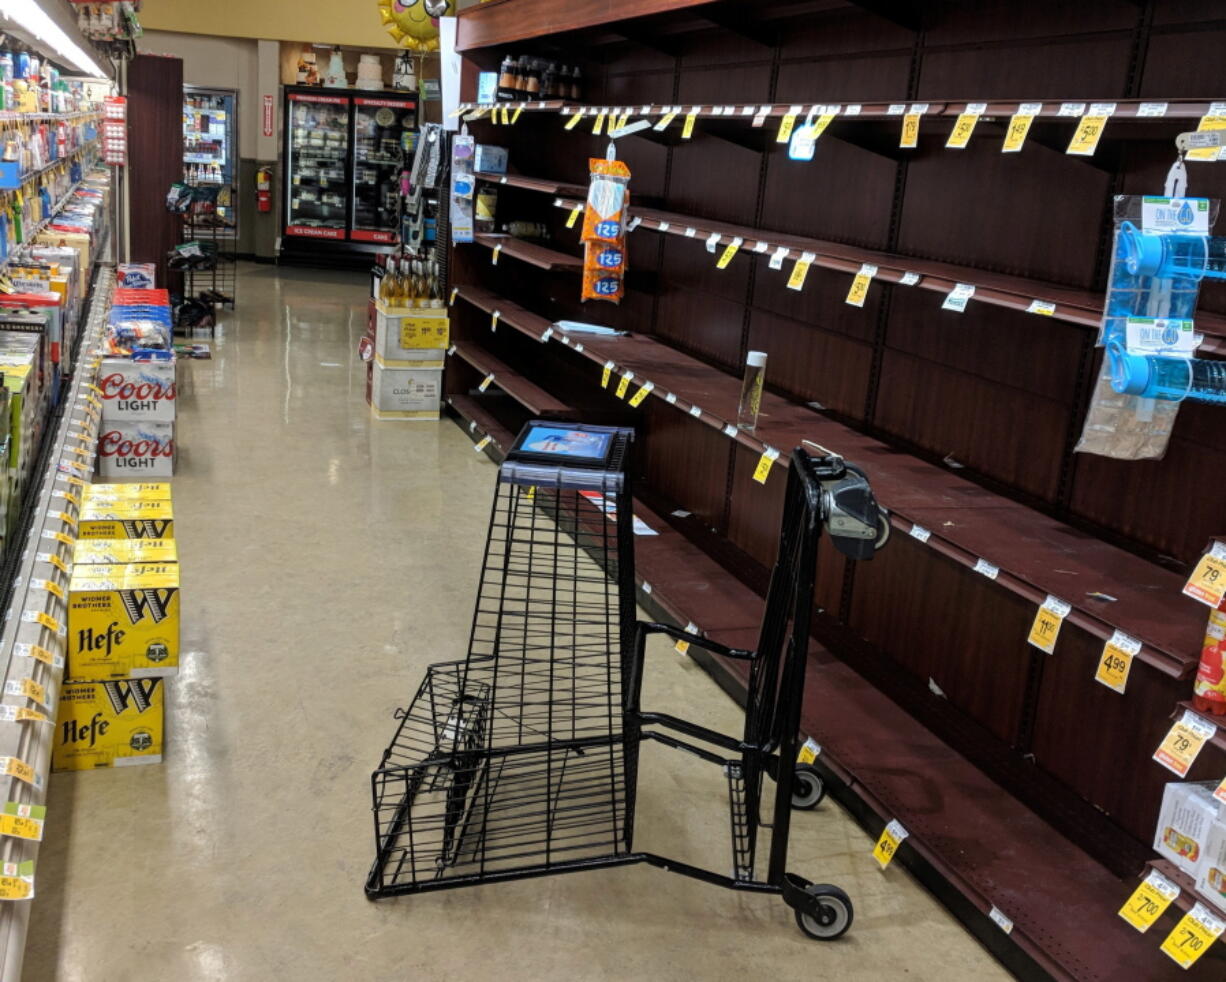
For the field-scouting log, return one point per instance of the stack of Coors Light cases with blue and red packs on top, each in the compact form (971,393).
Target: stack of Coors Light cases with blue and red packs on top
(139,390)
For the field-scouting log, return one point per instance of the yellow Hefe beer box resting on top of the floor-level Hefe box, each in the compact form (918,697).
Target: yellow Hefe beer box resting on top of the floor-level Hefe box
(123,621)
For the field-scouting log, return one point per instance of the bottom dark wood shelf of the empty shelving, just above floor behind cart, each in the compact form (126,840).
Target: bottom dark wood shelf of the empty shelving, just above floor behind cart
(860,733)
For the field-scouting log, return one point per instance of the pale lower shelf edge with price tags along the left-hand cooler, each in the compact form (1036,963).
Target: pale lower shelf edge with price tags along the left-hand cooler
(72,447)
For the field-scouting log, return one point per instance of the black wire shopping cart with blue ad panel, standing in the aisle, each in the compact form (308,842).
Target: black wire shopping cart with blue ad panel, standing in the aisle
(523,759)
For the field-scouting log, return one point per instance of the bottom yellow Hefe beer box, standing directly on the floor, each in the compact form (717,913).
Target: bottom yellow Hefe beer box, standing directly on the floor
(110,724)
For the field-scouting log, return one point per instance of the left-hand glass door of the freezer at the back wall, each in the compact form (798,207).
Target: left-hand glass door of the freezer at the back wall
(317,172)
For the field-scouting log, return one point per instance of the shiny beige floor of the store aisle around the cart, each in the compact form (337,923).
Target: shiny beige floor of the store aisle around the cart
(327,560)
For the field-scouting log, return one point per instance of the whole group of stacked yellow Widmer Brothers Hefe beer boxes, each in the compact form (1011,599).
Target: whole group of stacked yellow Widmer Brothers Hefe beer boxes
(123,633)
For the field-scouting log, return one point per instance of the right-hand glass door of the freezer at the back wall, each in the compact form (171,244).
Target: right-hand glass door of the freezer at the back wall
(384,132)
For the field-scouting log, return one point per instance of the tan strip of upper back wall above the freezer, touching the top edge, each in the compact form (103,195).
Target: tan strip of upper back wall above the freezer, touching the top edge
(355,23)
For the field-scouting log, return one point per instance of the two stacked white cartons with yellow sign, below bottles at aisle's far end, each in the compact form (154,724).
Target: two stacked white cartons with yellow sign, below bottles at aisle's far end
(406,372)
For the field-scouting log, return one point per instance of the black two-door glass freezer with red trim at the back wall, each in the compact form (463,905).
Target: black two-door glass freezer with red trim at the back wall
(345,154)
